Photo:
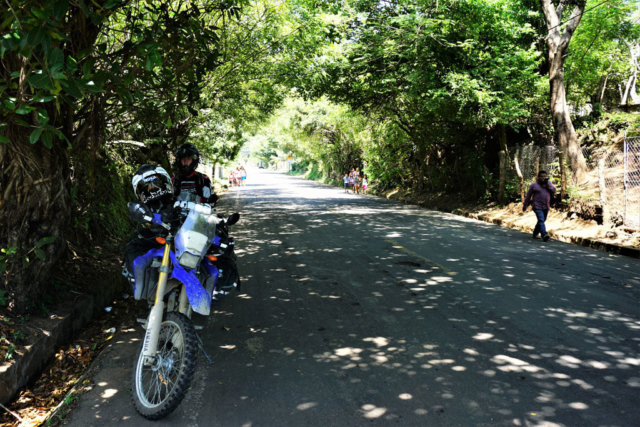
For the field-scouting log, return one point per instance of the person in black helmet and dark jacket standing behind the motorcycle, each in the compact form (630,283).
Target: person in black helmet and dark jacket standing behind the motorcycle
(187,180)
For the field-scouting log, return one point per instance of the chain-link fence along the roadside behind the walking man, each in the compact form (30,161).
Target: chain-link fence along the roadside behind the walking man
(621,176)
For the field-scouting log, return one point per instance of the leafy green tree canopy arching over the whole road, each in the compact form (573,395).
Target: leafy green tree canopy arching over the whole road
(421,93)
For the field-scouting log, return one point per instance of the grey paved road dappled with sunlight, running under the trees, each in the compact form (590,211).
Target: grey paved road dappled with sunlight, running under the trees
(360,311)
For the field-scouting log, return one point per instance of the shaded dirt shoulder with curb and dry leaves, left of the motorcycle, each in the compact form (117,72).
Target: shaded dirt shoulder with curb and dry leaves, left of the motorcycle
(64,332)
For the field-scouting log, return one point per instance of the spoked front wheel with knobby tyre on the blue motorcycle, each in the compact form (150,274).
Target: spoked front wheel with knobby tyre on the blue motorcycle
(159,388)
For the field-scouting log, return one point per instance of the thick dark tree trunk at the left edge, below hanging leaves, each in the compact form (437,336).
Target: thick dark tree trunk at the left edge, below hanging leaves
(34,205)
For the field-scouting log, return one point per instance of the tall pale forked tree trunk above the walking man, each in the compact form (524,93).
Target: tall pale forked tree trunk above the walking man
(558,45)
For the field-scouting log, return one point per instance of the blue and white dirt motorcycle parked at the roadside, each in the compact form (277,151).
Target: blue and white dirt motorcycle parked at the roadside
(194,268)
